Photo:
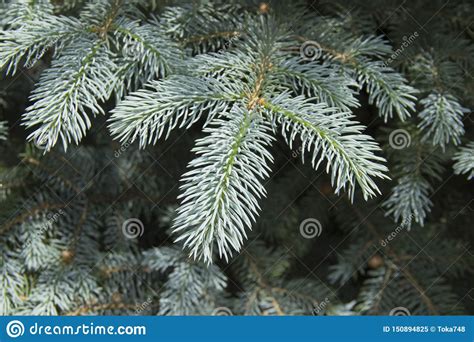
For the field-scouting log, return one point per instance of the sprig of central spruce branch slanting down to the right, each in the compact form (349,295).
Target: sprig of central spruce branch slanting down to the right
(330,135)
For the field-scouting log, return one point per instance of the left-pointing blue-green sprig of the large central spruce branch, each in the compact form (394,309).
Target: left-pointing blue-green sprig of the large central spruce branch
(178,101)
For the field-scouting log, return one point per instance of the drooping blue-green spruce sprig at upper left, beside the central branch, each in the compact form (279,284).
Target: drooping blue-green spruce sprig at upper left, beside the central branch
(73,86)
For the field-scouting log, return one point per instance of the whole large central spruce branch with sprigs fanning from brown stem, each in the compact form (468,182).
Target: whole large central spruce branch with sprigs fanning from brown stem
(250,81)
